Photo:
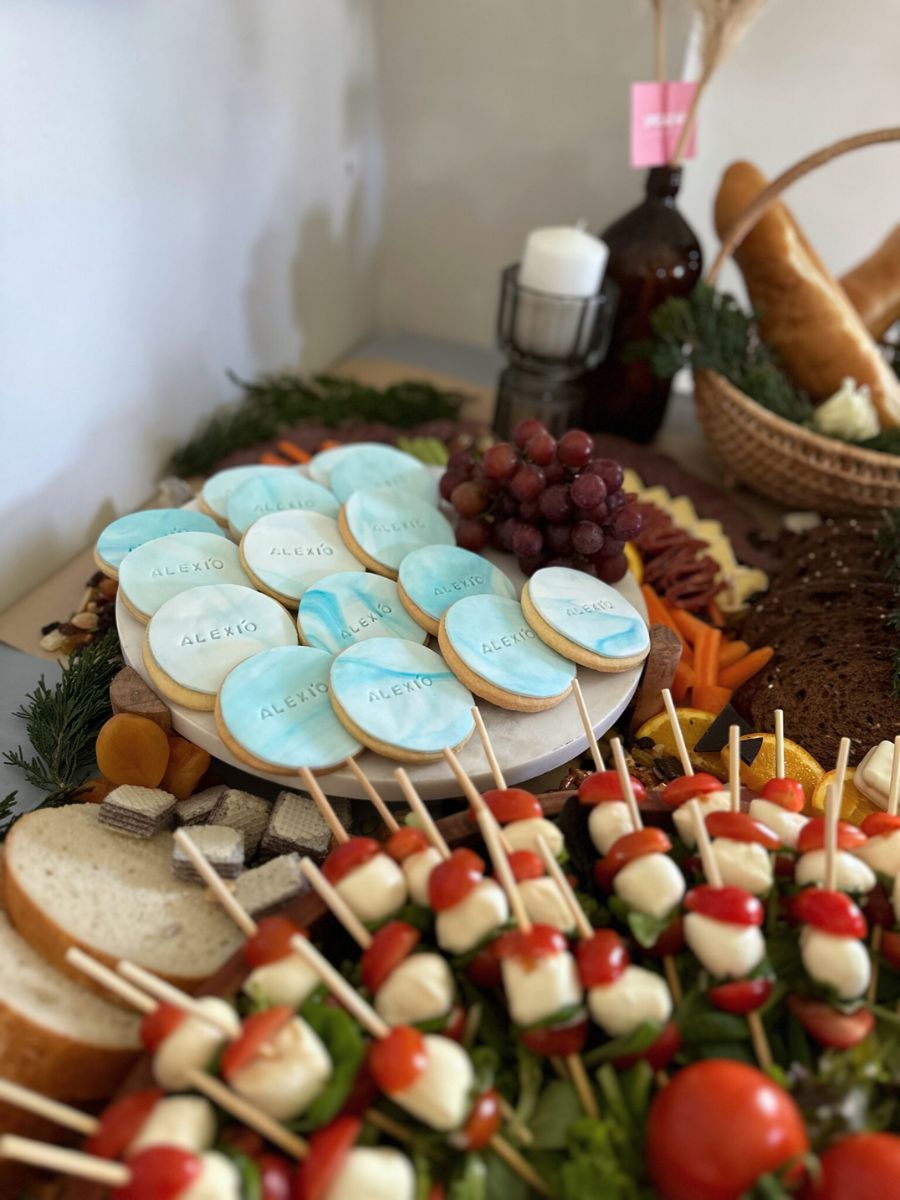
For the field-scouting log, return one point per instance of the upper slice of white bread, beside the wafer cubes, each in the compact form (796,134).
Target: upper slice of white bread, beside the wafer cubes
(71,881)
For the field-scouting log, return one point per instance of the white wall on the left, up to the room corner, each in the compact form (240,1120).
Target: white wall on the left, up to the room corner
(187,187)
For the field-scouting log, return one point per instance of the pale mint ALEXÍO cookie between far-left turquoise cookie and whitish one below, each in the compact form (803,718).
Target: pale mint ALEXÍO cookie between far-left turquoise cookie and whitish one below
(164,568)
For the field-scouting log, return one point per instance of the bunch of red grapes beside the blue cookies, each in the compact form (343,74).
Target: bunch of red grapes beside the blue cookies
(551,503)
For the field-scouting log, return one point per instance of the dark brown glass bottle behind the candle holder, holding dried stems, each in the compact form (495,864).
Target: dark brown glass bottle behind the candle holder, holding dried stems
(653,255)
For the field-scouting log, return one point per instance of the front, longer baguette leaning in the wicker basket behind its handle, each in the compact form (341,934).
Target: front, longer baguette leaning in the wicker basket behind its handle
(805,315)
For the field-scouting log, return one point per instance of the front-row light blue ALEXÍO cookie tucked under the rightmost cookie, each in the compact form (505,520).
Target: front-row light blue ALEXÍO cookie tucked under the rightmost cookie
(494,651)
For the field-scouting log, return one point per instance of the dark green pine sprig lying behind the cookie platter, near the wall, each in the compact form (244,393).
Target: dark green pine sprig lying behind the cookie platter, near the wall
(274,403)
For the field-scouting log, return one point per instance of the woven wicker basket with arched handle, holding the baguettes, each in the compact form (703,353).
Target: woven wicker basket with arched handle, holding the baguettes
(771,455)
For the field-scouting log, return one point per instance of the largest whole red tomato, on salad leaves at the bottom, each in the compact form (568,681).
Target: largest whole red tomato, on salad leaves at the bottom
(717,1127)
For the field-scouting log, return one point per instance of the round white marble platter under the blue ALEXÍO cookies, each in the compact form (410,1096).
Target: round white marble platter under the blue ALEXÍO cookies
(527,745)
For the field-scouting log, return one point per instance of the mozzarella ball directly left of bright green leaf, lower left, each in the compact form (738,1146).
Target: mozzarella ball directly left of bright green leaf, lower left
(286,1081)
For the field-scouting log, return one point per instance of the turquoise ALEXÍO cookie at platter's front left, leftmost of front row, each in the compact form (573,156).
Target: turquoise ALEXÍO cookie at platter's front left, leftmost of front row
(274,713)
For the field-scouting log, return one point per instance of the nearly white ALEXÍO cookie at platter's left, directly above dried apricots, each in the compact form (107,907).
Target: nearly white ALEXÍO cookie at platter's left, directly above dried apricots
(197,638)
